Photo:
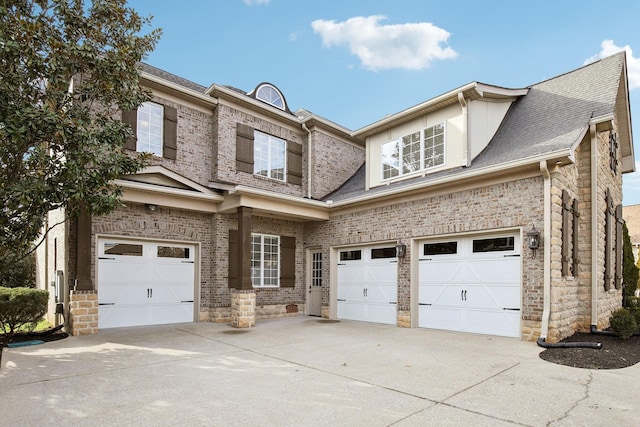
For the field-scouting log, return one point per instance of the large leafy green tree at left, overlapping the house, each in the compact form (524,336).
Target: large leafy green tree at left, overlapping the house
(66,68)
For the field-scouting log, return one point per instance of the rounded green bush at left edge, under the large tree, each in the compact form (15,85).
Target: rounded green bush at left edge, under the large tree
(21,307)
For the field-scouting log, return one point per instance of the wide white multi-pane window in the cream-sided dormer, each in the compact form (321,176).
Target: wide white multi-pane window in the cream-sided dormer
(414,152)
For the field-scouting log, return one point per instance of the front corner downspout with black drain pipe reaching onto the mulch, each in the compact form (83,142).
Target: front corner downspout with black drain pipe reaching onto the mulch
(546,310)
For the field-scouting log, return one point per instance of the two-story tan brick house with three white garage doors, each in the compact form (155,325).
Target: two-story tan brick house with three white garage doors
(422,219)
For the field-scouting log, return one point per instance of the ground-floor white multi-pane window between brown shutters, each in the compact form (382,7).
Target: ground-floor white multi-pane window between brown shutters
(265,261)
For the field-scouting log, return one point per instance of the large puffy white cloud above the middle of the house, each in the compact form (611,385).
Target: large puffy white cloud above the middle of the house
(411,46)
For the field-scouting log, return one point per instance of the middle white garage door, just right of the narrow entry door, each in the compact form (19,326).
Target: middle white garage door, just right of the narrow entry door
(368,284)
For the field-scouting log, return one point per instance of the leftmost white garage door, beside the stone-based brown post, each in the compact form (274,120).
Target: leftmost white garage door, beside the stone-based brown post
(144,283)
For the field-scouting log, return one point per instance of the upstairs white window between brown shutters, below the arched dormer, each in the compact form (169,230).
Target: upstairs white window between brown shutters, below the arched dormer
(269,156)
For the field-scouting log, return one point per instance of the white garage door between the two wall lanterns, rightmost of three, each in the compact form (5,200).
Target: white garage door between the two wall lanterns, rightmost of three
(471,284)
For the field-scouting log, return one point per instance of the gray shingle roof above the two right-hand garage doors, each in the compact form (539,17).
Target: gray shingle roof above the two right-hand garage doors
(552,117)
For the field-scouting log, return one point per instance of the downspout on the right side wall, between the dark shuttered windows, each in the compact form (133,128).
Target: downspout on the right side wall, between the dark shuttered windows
(594,226)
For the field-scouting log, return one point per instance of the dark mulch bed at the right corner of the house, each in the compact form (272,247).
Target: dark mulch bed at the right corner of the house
(615,353)
